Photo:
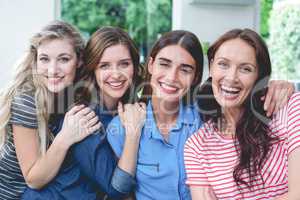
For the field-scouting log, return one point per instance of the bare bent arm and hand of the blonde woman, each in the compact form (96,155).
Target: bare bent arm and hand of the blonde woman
(38,169)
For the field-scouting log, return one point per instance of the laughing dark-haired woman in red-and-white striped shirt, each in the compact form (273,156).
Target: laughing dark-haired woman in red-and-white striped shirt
(240,153)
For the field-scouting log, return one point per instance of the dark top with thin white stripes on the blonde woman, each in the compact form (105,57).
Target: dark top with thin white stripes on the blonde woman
(23,113)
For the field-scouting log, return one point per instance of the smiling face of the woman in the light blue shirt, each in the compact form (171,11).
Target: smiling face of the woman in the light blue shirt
(172,73)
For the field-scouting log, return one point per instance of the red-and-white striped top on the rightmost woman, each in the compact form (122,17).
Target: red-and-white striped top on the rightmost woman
(210,158)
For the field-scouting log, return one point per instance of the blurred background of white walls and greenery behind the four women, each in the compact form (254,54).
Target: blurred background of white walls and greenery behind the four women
(278,21)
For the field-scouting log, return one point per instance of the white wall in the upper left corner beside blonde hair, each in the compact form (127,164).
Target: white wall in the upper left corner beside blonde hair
(19,21)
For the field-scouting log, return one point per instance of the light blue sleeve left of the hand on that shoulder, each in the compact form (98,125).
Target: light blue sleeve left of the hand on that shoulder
(116,135)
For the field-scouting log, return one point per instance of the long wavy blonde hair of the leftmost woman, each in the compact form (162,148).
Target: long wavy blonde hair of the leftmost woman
(27,80)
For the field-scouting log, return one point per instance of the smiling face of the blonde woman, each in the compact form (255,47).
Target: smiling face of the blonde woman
(57,63)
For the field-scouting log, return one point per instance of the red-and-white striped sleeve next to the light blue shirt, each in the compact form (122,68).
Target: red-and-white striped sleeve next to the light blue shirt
(195,171)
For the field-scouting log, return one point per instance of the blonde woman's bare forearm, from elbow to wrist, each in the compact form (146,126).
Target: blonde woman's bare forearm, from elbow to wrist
(48,165)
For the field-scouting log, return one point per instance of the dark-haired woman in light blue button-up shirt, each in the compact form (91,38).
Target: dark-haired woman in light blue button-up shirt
(174,69)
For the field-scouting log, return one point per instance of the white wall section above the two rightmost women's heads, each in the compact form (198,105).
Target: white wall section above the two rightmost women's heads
(209,21)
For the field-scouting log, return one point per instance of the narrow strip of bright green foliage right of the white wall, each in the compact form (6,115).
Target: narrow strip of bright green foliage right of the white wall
(265,9)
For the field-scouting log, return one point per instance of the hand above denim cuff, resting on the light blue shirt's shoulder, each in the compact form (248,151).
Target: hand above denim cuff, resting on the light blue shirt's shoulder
(132,117)
